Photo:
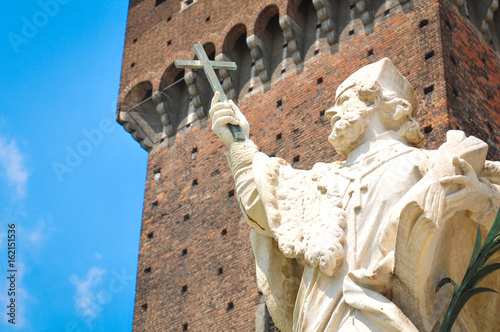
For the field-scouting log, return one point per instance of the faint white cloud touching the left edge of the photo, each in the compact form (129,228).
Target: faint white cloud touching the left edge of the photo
(12,161)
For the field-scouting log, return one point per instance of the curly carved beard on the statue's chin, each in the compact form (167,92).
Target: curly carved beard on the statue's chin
(347,131)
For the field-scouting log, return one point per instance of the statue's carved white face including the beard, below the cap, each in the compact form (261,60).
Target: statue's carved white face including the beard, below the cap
(348,121)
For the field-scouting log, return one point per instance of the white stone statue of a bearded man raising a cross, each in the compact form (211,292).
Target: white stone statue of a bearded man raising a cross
(360,245)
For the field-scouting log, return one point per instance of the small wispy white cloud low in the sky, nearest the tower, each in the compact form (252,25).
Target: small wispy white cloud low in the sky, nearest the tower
(86,301)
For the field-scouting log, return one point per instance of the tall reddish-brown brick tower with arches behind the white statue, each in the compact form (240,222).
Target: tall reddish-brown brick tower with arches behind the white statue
(196,269)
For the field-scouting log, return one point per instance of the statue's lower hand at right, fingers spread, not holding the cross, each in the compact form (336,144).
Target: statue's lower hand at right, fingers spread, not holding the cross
(472,193)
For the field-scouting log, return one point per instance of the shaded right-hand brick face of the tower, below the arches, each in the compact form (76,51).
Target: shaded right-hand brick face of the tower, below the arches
(472,70)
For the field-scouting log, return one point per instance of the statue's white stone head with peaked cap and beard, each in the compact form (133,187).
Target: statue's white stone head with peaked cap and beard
(375,98)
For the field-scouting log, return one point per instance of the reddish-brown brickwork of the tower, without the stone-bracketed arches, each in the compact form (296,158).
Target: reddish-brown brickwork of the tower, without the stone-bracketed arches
(399,36)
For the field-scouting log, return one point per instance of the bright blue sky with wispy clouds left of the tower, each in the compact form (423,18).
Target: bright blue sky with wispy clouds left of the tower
(71,179)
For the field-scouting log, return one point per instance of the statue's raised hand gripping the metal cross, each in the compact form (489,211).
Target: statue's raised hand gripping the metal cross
(223,113)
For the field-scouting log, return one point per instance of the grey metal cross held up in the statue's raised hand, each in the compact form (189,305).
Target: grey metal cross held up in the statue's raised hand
(208,66)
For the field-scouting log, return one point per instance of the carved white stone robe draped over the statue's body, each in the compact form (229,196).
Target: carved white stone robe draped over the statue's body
(325,240)
